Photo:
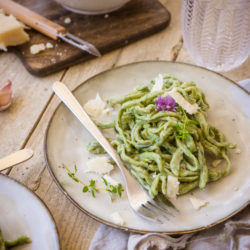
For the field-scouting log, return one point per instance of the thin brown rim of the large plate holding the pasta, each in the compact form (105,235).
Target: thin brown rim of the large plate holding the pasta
(124,228)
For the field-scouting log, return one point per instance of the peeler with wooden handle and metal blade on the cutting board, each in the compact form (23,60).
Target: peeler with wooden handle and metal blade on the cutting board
(46,26)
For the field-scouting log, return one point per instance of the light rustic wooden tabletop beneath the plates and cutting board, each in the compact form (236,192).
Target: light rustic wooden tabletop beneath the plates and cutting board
(23,124)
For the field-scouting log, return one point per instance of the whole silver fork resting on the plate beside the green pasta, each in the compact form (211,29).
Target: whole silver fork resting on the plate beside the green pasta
(139,200)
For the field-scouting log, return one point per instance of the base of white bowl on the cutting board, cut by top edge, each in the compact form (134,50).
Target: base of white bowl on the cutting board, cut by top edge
(92,7)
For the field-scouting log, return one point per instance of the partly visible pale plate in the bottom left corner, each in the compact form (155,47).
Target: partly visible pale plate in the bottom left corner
(23,213)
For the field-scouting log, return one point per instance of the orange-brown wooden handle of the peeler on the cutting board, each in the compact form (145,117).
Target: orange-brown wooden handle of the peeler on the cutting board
(32,19)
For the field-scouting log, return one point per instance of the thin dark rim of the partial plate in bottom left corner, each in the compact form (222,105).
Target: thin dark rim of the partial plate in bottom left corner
(40,202)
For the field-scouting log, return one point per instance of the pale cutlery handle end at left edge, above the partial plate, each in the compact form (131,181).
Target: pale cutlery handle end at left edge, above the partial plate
(15,158)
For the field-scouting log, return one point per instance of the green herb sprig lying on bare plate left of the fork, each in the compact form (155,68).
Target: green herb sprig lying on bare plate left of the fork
(91,187)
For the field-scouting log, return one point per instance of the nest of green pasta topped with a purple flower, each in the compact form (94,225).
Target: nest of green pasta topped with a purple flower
(157,138)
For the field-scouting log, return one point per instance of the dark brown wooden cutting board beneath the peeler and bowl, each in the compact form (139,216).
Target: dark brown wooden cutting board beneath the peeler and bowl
(136,20)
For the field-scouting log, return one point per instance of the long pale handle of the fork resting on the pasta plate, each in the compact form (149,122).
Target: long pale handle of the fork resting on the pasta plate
(70,101)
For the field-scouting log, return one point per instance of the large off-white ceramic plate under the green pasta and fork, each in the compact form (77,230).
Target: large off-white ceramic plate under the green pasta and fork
(66,141)
